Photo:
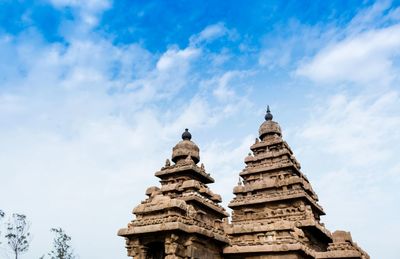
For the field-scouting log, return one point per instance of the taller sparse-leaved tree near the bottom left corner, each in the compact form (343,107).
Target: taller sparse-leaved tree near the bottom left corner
(18,236)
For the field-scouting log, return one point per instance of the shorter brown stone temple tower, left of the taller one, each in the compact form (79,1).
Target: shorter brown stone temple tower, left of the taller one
(182,219)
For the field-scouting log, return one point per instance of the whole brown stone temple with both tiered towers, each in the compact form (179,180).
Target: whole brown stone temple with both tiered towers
(275,212)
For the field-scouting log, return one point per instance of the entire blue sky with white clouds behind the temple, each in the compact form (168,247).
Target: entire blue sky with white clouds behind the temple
(94,94)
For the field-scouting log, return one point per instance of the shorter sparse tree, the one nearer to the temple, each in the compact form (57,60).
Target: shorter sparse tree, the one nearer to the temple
(61,245)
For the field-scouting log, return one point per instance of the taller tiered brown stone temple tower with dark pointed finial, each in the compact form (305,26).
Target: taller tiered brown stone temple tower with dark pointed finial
(275,210)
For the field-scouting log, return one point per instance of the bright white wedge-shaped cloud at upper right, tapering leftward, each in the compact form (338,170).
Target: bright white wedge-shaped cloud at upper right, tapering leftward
(366,58)
